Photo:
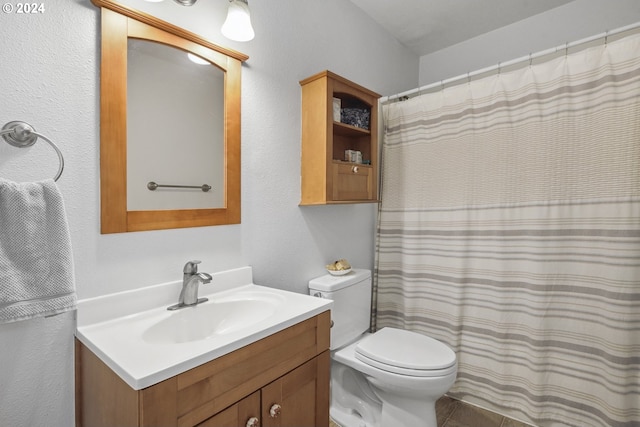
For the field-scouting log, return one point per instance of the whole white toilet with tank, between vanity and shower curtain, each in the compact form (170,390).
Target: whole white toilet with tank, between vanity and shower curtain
(389,378)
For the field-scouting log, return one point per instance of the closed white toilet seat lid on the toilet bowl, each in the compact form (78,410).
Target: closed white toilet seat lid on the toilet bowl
(406,353)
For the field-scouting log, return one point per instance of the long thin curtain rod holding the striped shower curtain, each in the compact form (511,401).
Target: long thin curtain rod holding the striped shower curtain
(500,65)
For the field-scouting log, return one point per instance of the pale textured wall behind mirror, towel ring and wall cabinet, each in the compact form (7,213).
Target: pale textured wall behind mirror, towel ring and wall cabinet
(50,78)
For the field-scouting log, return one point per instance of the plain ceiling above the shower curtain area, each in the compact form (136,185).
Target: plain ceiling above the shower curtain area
(426,26)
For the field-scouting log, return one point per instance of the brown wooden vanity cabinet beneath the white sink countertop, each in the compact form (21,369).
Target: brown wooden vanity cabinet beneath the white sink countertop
(279,381)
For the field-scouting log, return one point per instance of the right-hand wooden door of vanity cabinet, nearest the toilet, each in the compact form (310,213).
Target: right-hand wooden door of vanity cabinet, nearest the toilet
(300,398)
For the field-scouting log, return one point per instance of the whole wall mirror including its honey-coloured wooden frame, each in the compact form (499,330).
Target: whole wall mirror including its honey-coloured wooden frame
(132,150)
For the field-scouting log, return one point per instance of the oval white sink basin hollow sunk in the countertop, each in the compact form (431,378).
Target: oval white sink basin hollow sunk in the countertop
(216,317)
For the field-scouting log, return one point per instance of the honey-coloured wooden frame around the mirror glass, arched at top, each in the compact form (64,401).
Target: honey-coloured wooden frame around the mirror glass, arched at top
(120,22)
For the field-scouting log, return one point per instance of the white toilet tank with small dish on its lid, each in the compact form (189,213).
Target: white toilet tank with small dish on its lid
(351,296)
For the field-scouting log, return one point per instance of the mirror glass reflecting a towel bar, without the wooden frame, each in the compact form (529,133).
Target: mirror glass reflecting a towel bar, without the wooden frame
(175,136)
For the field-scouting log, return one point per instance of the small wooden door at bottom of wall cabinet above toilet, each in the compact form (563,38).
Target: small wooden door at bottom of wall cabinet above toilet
(352,182)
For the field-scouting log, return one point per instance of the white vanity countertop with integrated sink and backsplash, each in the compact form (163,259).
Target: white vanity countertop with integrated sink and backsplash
(135,335)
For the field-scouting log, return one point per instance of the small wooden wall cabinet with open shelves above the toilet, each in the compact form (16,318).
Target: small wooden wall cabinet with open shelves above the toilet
(326,176)
